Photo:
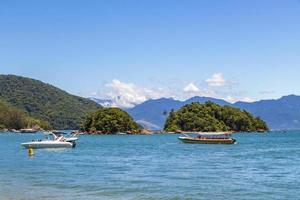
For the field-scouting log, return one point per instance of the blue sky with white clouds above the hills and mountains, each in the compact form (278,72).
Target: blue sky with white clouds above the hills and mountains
(149,49)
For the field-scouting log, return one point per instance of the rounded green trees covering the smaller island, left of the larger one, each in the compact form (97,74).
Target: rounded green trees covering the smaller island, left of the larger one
(109,120)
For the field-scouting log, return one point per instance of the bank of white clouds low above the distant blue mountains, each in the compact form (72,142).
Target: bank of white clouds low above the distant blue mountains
(126,95)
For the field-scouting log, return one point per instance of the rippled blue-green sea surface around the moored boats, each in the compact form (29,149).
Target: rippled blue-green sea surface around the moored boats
(259,166)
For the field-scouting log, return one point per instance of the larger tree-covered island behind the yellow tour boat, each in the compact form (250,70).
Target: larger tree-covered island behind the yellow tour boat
(211,117)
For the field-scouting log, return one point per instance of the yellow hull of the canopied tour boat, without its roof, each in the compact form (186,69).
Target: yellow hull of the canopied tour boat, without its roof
(192,140)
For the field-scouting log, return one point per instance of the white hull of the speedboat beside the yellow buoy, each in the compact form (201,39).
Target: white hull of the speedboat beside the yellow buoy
(47,144)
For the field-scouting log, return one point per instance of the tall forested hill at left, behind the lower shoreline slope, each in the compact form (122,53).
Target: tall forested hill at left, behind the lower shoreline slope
(46,102)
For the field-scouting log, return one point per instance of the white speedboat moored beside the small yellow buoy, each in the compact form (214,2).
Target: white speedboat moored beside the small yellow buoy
(55,142)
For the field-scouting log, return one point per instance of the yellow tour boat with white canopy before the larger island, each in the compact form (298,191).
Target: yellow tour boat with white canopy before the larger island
(208,138)
